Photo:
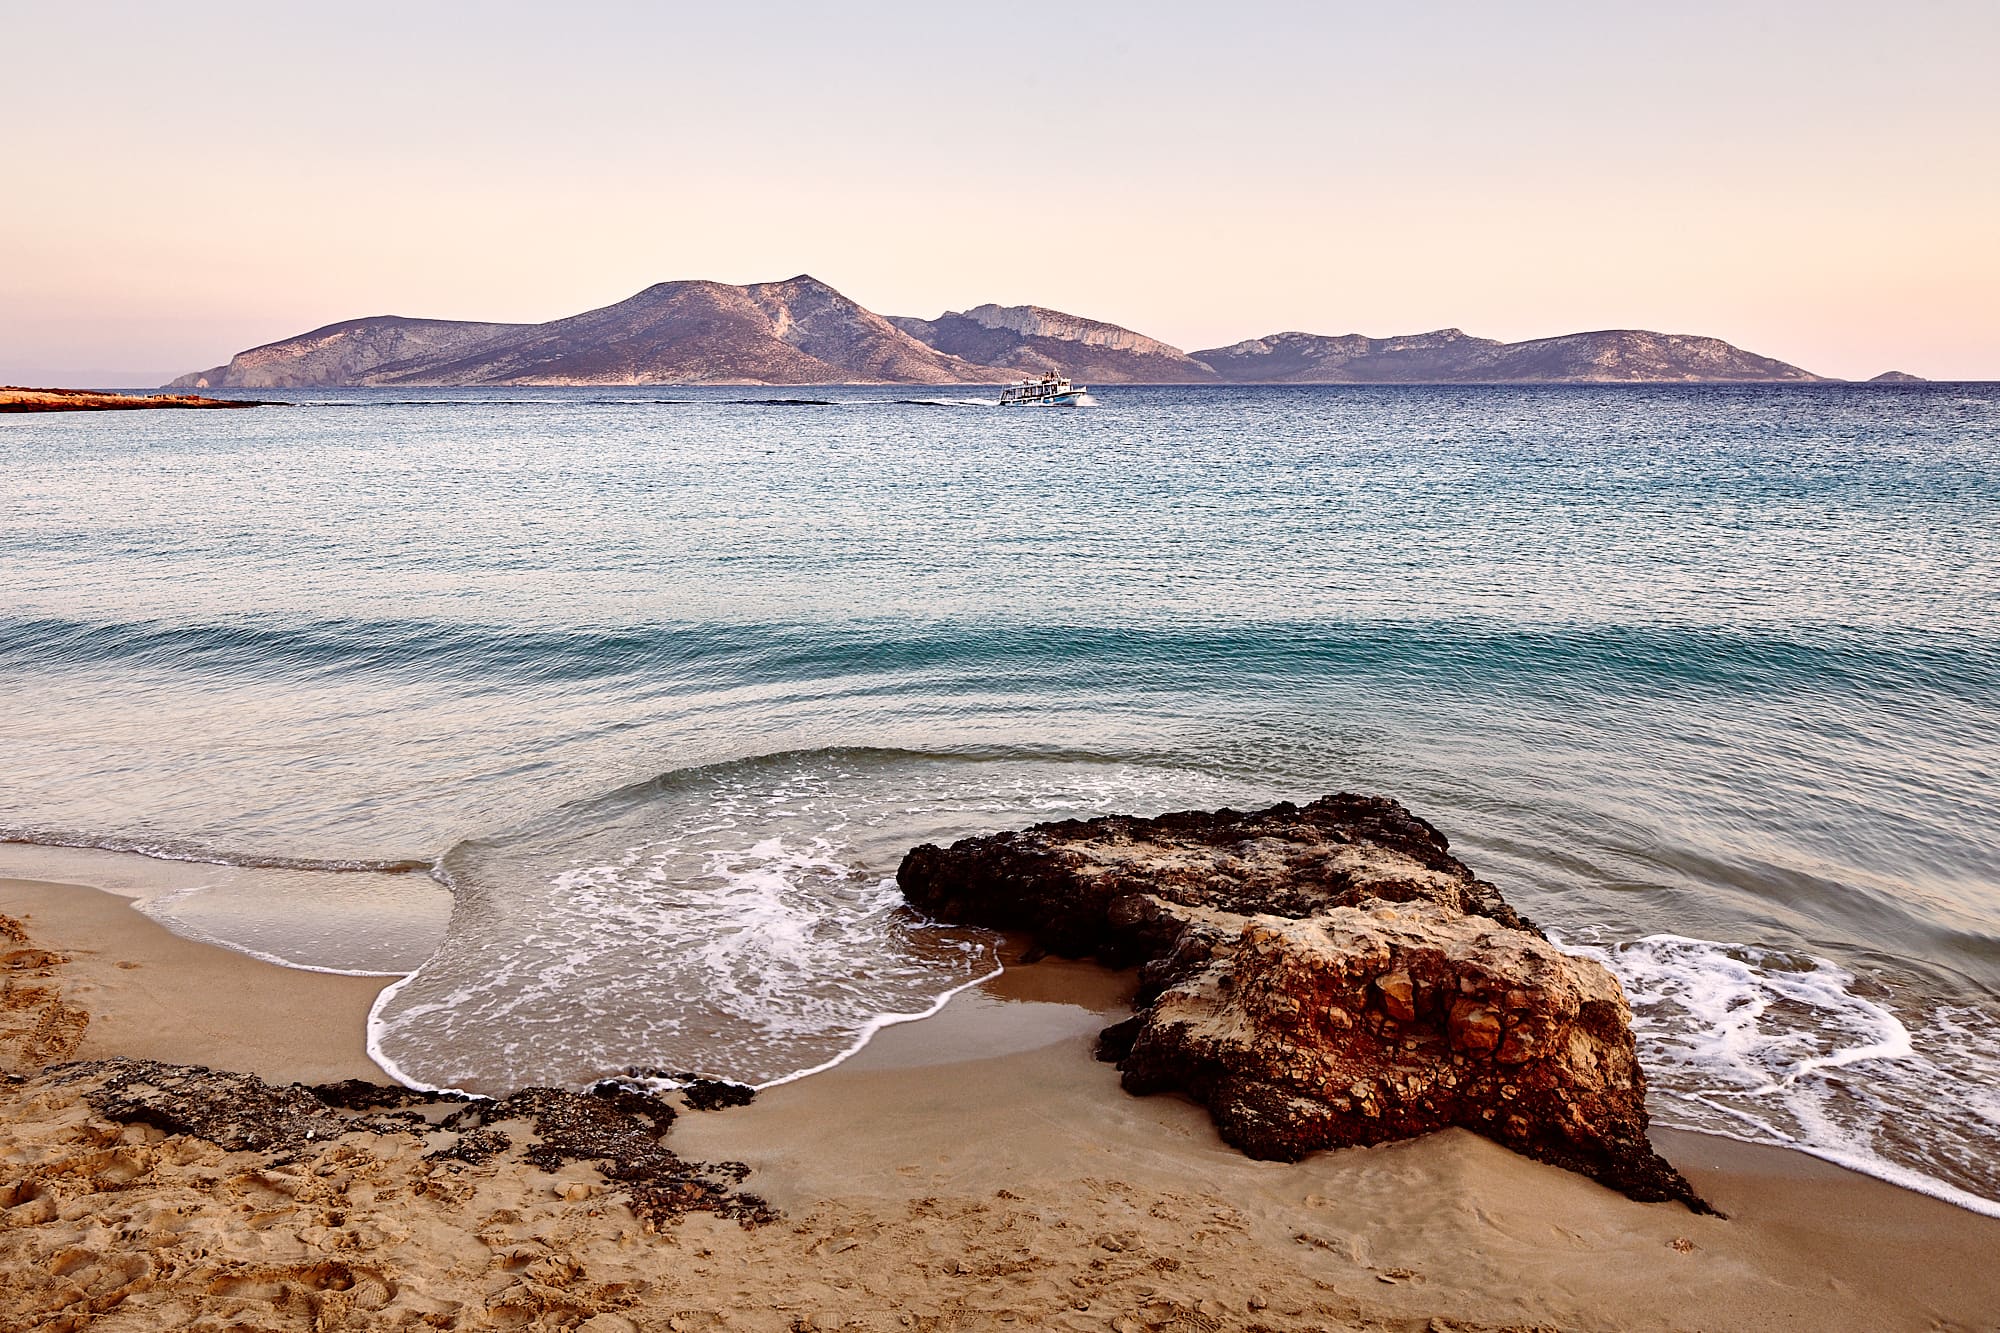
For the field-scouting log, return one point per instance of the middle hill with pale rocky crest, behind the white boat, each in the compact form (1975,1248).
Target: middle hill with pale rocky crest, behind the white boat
(1033,339)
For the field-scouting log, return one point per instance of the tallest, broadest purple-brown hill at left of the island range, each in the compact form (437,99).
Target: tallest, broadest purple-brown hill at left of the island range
(673,333)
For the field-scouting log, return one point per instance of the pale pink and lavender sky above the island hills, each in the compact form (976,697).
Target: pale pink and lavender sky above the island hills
(1815,181)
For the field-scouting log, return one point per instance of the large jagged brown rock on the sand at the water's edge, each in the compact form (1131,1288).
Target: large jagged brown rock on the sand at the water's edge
(1325,976)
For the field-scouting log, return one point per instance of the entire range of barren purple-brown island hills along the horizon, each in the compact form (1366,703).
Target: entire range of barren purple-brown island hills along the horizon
(807,333)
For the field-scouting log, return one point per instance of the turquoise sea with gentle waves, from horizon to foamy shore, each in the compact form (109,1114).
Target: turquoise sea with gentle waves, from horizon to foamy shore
(665,682)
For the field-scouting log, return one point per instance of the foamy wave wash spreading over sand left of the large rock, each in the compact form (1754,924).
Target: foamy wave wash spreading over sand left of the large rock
(731,924)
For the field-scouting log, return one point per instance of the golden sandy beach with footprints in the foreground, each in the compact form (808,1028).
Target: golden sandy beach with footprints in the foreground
(977,1170)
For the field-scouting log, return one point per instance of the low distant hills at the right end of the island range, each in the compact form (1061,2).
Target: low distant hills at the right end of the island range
(1453,357)
